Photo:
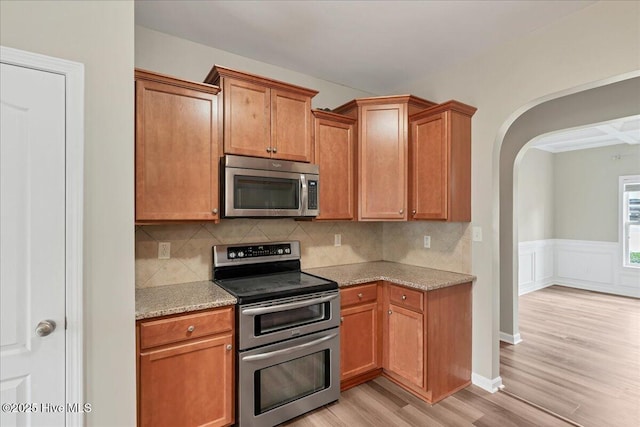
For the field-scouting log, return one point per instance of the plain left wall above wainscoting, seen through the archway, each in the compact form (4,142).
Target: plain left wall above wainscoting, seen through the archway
(535,197)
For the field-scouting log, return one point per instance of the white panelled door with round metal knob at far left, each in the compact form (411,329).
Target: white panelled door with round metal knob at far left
(32,250)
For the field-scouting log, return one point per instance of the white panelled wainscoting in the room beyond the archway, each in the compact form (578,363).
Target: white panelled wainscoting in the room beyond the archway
(582,264)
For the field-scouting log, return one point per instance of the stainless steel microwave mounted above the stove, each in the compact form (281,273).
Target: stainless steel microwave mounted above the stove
(255,187)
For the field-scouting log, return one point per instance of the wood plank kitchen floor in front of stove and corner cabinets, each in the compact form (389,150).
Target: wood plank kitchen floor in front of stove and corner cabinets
(381,403)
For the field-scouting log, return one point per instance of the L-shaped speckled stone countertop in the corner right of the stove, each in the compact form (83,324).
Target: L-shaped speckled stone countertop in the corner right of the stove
(422,278)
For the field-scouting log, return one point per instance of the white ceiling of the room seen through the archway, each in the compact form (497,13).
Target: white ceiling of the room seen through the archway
(621,131)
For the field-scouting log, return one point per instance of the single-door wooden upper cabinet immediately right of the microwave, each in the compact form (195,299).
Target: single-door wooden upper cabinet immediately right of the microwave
(334,152)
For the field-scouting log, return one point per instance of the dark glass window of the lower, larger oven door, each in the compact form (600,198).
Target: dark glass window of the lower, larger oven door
(286,382)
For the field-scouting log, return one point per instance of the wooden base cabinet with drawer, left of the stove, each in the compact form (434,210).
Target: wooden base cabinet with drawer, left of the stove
(186,378)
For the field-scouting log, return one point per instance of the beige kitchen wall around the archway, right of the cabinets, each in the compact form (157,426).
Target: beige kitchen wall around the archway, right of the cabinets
(595,43)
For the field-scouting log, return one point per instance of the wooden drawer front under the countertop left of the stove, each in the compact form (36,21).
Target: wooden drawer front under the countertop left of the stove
(165,331)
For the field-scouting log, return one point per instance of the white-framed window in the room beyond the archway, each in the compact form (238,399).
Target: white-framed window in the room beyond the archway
(630,221)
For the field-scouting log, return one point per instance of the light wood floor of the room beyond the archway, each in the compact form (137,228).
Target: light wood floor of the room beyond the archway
(580,356)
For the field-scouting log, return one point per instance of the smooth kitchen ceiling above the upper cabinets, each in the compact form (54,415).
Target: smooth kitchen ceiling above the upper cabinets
(374,46)
